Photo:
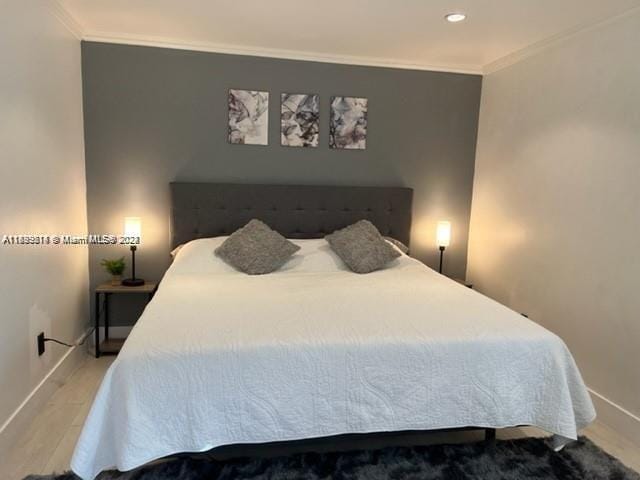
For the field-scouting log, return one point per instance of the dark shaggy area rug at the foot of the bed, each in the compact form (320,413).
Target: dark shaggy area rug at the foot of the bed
(529,458)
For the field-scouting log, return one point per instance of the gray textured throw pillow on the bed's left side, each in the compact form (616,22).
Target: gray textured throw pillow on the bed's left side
(256,249)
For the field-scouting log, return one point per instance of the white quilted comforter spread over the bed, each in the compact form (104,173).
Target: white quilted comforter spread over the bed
(219,357)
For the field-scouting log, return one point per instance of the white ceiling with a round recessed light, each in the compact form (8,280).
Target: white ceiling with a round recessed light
(400,33)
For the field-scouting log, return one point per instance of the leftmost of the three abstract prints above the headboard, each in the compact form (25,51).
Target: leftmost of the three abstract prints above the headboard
(248,117)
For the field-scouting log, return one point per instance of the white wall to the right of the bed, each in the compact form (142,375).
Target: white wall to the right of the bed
(555,226)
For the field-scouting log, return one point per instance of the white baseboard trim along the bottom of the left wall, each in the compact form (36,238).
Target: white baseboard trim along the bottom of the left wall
(40,395)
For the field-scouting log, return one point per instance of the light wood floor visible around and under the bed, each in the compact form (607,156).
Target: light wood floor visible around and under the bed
(47,444)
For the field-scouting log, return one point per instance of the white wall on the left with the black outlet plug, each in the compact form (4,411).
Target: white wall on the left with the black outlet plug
(42,190)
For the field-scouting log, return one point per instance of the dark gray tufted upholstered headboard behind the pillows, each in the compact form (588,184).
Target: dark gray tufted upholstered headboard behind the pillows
(201,210)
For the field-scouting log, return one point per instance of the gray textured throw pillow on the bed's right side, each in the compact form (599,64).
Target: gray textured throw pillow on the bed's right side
(362,247)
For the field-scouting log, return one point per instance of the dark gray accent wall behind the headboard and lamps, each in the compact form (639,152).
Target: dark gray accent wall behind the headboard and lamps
(156,115)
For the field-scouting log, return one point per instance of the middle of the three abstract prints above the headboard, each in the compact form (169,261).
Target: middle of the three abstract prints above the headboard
(299,120)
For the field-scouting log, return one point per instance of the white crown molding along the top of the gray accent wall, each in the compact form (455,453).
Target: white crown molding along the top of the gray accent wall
(162,42)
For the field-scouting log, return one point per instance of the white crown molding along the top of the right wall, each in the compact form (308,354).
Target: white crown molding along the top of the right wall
(553,41)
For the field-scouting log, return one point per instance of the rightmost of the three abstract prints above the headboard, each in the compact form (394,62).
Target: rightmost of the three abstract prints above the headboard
(348,123)
